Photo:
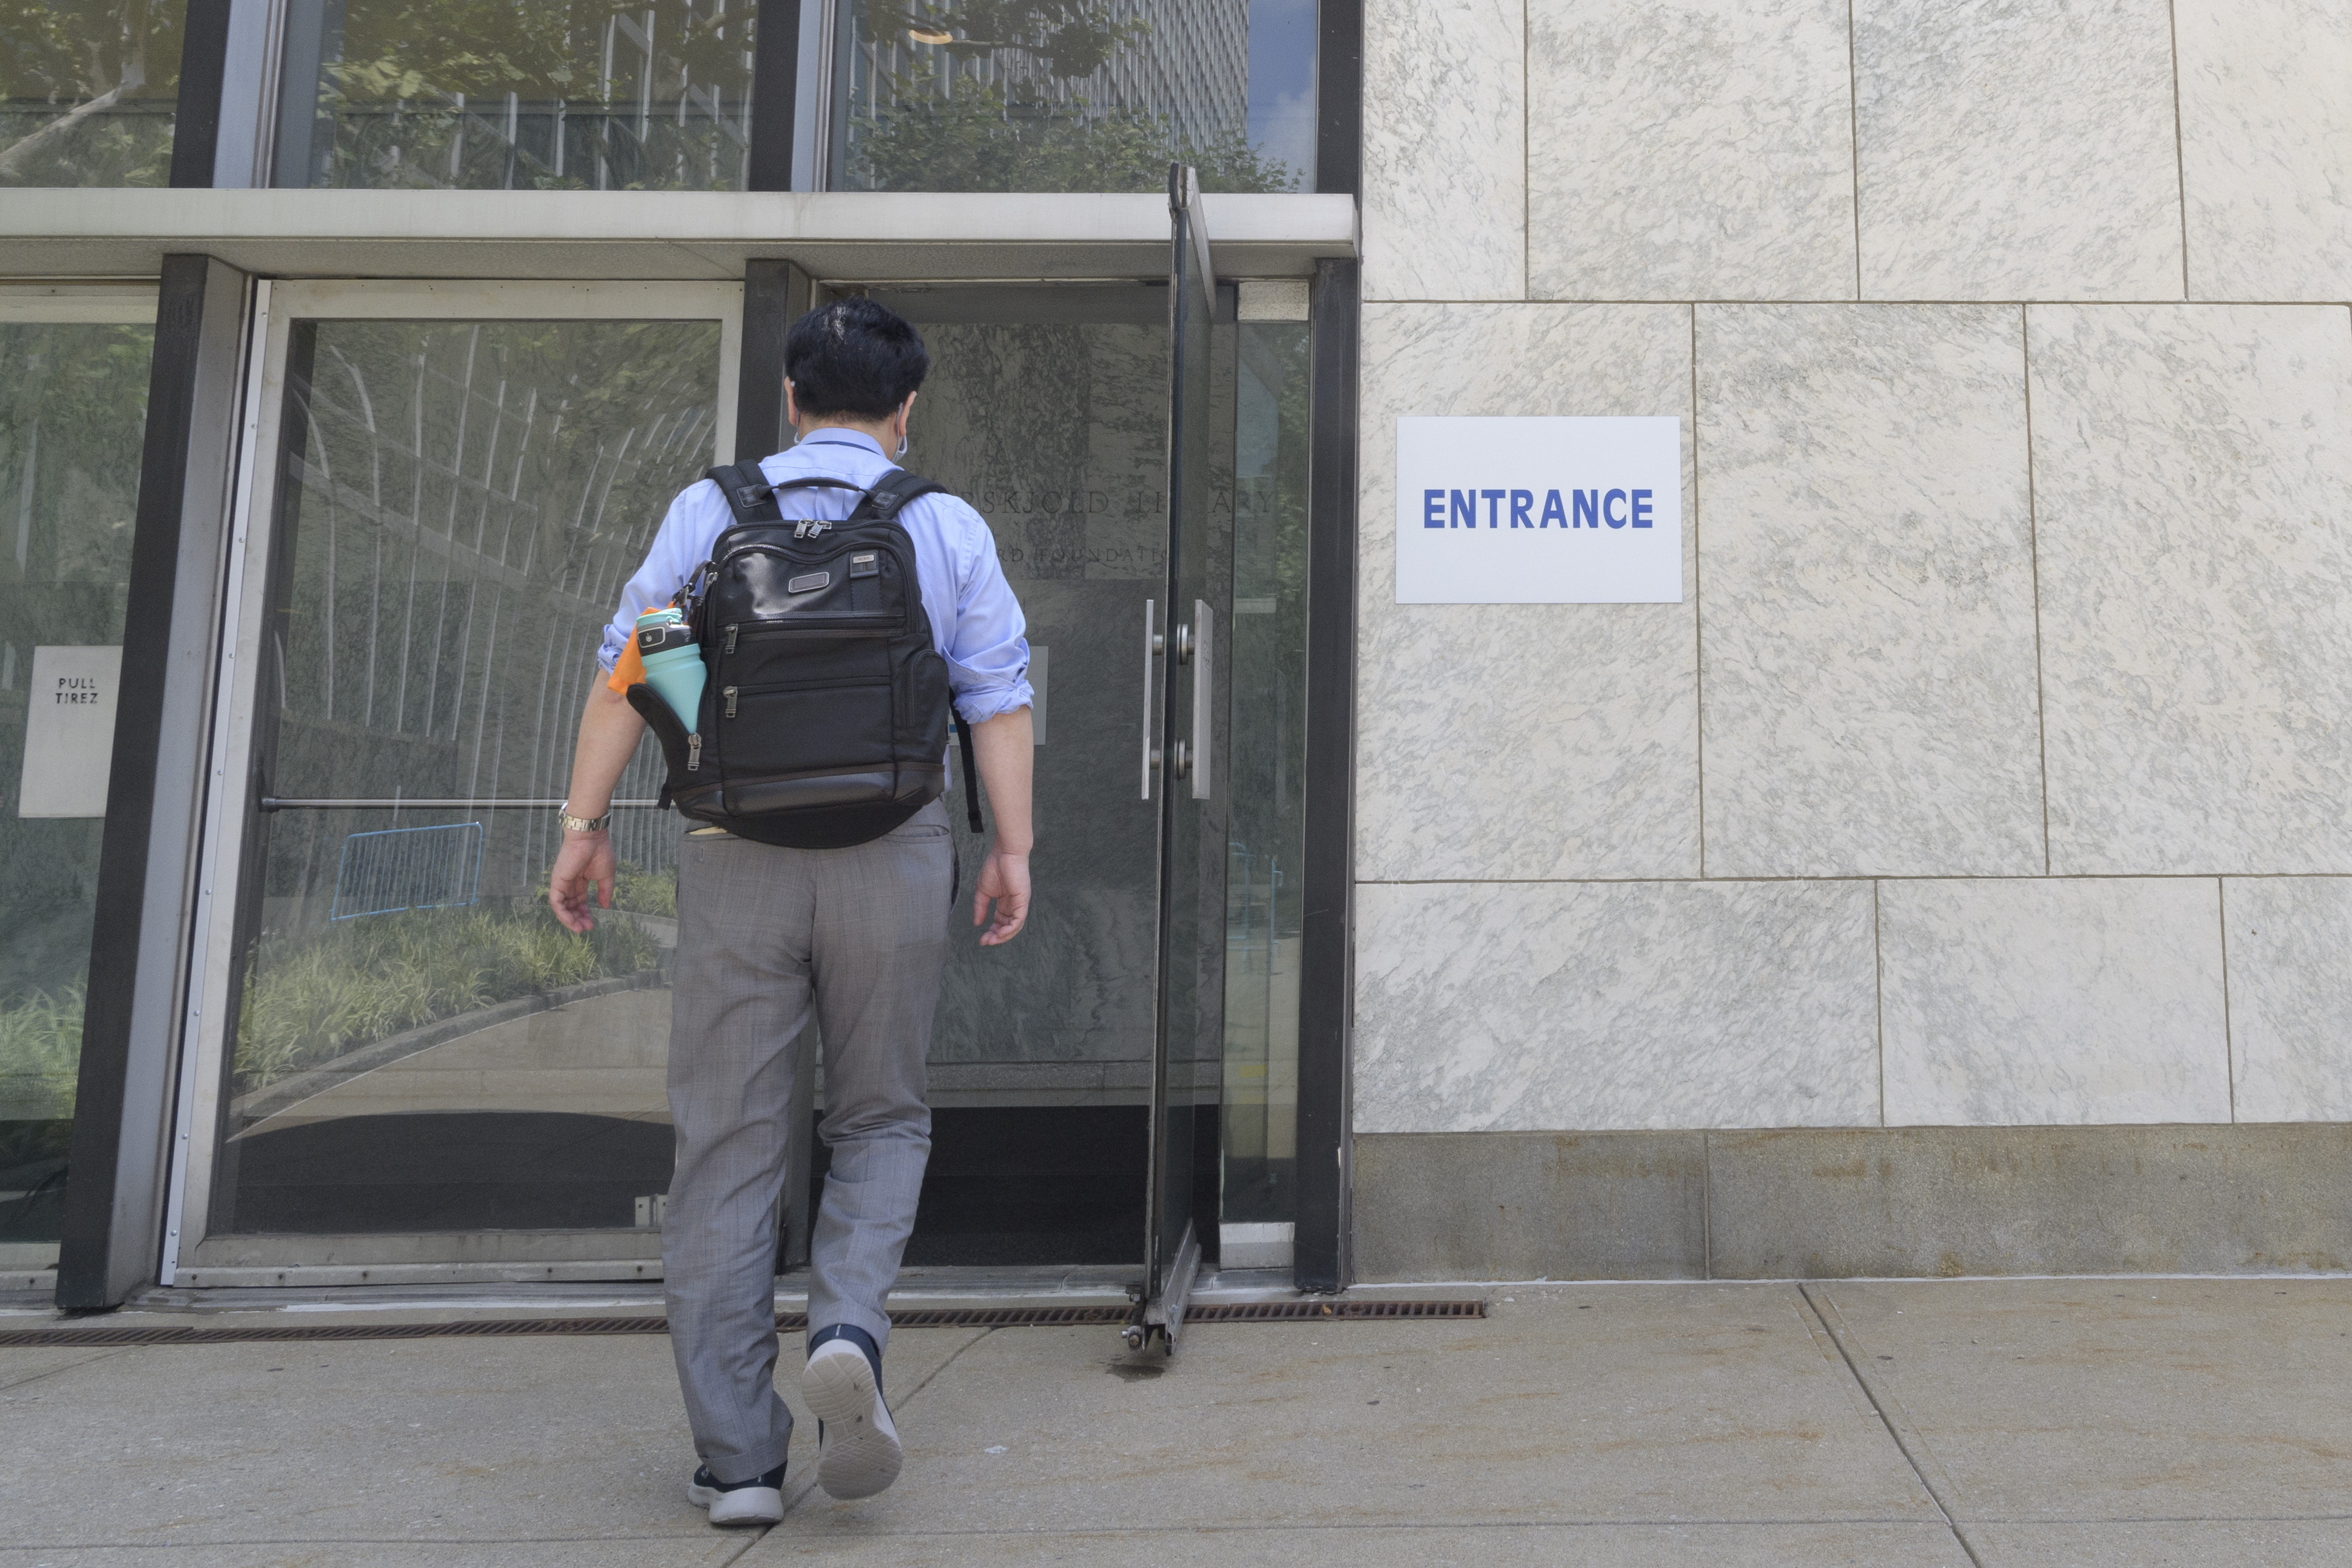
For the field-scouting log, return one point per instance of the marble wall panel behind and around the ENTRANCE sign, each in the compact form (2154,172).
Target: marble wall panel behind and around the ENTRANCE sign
(1521,742)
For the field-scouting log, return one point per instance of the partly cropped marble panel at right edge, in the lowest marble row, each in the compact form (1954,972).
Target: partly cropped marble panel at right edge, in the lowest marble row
(2290,998)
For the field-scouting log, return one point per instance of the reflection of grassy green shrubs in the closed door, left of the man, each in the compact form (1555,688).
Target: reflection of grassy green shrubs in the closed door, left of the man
(316,998)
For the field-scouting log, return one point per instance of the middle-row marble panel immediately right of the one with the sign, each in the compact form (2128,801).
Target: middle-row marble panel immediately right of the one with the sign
(1866,594)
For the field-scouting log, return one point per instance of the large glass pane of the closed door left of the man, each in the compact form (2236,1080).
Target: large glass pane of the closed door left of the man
(417,1045)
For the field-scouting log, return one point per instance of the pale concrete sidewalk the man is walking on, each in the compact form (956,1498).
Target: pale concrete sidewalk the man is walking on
(1939,1423)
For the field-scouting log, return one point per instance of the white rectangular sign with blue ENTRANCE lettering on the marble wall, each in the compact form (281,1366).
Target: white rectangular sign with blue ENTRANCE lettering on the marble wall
(1539,511)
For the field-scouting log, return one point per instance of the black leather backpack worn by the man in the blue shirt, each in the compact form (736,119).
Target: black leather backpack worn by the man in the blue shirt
(827,709)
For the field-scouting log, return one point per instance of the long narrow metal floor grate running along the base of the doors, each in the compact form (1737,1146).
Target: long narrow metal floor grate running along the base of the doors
(789,1322)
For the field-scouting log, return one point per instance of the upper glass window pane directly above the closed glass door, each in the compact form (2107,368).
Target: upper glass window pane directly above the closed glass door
(516,95)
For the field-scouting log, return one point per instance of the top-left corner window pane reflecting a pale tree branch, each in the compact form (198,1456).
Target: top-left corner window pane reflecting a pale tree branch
(88,91)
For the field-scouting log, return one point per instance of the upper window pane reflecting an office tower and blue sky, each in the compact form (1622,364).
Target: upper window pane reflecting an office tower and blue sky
(1074,95)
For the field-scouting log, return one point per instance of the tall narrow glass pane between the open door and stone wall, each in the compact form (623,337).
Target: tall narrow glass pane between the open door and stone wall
(1267,770)
